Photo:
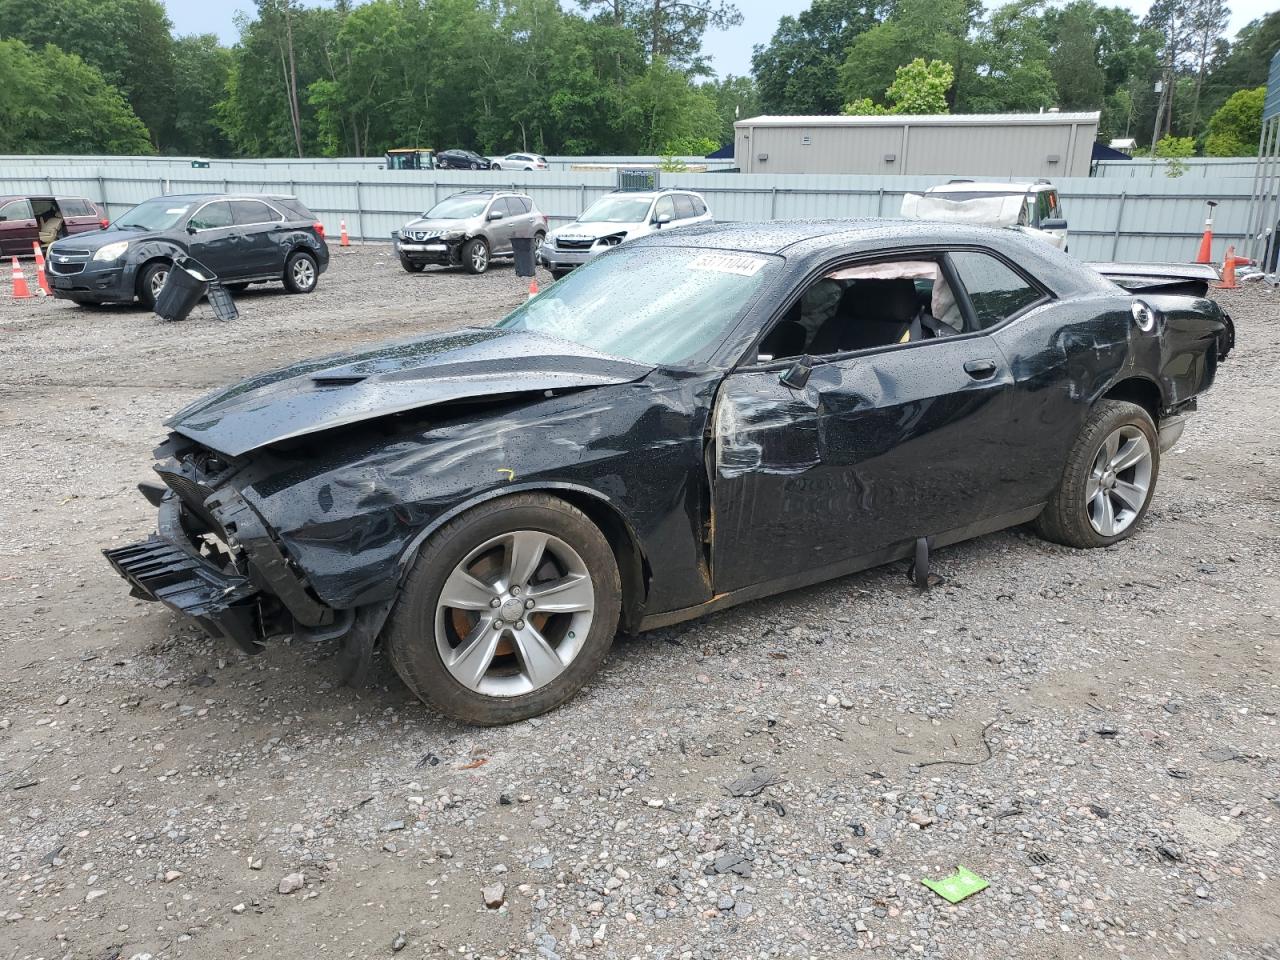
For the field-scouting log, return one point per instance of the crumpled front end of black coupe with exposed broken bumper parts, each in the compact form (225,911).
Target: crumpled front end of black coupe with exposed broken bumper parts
(213,557)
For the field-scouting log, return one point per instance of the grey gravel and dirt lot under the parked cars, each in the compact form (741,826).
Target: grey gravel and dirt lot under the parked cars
(1109,719)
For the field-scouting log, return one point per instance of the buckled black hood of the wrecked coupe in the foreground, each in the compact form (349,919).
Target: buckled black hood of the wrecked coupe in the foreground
(392,378)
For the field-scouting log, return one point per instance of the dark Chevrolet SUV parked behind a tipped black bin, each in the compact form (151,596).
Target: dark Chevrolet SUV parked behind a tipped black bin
(243,239)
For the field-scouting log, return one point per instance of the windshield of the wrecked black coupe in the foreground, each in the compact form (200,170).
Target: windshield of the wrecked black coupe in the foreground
(656,307)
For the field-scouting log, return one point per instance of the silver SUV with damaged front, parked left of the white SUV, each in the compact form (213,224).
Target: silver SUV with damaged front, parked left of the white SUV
(469,230)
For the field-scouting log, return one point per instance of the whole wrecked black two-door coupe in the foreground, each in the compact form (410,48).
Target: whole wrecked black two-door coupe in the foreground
(689,422)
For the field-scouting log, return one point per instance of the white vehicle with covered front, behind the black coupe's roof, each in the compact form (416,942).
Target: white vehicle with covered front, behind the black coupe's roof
(1036,209)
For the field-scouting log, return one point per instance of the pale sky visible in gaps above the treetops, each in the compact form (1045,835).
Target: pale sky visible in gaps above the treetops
(730,51)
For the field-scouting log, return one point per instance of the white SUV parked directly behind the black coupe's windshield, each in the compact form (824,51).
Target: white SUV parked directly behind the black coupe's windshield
(619,217)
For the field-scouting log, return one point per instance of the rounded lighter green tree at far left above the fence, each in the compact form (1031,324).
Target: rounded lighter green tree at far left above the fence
(54,103)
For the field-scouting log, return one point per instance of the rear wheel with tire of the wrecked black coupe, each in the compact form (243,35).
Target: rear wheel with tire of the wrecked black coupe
(1095,505)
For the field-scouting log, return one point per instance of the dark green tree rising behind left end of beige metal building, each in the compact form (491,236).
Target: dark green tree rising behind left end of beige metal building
(794,72)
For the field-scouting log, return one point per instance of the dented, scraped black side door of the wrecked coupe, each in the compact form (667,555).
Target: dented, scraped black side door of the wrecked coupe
(875,450)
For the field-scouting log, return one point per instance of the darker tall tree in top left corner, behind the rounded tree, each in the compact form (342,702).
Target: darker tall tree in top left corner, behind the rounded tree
(129,42)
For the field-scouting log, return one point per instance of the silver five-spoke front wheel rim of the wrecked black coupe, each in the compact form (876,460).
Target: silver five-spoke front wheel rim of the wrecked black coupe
(514,614)
